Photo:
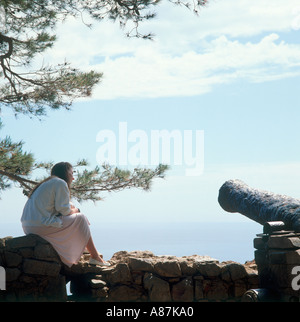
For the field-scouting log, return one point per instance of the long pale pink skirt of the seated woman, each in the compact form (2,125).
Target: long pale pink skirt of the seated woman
(69,241)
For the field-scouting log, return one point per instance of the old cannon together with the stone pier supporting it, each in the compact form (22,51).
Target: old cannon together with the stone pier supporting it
(277,251)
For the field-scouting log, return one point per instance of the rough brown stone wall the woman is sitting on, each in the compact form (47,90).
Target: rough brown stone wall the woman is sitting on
(34,272)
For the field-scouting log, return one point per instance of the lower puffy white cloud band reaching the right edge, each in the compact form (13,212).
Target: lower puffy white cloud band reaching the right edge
(150,73)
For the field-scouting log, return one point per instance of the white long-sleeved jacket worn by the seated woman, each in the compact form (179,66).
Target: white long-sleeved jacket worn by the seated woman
(50,200)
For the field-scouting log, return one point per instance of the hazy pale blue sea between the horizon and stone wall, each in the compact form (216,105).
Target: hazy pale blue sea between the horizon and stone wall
(222,241)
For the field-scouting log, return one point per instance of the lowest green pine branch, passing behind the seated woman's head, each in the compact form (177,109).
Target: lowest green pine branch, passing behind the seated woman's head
(18,166)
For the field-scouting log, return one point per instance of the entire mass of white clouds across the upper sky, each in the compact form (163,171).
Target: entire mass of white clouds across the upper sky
(190,54)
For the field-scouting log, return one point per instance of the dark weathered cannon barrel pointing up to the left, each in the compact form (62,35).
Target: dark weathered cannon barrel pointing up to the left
(259,205)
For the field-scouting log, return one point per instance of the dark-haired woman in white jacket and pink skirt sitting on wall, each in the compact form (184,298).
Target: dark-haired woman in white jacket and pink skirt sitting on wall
(49,214)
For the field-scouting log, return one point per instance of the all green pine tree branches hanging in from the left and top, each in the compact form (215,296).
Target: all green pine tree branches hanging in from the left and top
(27,29)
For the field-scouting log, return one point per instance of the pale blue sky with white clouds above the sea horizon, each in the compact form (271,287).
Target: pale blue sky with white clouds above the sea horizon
(225,83)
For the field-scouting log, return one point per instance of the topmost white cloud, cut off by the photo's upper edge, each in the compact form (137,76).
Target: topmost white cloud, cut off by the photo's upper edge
(243,18)
